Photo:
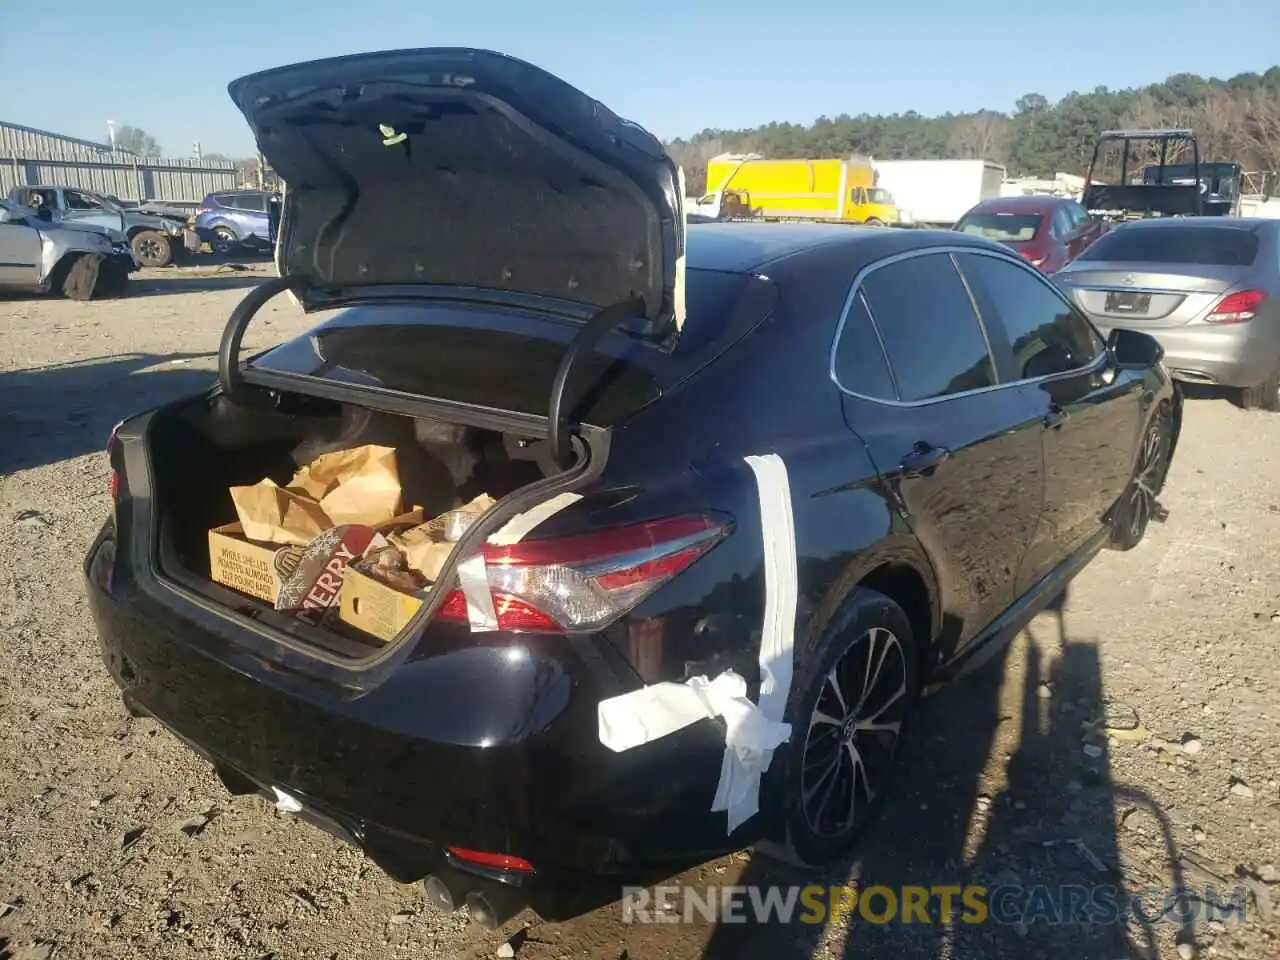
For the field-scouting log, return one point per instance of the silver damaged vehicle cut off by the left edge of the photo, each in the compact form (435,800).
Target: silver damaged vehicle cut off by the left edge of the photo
(77,260)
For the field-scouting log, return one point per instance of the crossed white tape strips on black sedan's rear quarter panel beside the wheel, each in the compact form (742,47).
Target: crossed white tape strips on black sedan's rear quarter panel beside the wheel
(752,732)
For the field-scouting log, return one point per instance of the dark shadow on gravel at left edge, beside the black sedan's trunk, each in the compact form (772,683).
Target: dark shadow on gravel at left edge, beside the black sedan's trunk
(67,410)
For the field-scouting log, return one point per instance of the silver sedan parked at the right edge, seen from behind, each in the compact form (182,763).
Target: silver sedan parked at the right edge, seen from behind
(1206,287)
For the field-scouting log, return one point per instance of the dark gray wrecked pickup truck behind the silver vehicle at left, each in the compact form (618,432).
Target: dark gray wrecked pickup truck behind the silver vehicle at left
(156,239)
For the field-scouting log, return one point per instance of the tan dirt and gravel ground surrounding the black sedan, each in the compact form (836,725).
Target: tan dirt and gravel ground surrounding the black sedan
(117,843)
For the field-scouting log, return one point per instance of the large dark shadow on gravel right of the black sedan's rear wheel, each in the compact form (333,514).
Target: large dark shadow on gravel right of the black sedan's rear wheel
(996,790)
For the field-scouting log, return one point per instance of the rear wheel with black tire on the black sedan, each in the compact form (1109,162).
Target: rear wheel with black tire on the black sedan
(821,824)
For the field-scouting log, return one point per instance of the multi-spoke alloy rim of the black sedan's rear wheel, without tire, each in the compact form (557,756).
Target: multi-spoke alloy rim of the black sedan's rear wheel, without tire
(853,734)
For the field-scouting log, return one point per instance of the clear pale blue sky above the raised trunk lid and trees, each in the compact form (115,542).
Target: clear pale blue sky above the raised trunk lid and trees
(673,66)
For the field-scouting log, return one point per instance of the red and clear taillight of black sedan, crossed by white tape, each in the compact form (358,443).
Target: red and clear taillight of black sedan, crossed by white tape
(584,582)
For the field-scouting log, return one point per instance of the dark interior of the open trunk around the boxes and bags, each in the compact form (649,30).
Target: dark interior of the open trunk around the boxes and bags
(200,450)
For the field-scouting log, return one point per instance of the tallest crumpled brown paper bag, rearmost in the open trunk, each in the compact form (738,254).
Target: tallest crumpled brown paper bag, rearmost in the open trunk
(359,486)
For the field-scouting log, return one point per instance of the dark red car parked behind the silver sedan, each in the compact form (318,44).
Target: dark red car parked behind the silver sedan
(1049,232)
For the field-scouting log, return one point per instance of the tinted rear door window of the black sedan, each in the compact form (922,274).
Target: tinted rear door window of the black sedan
(932,336)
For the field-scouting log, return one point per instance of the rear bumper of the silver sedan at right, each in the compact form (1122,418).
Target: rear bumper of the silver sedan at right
(1236,355)
